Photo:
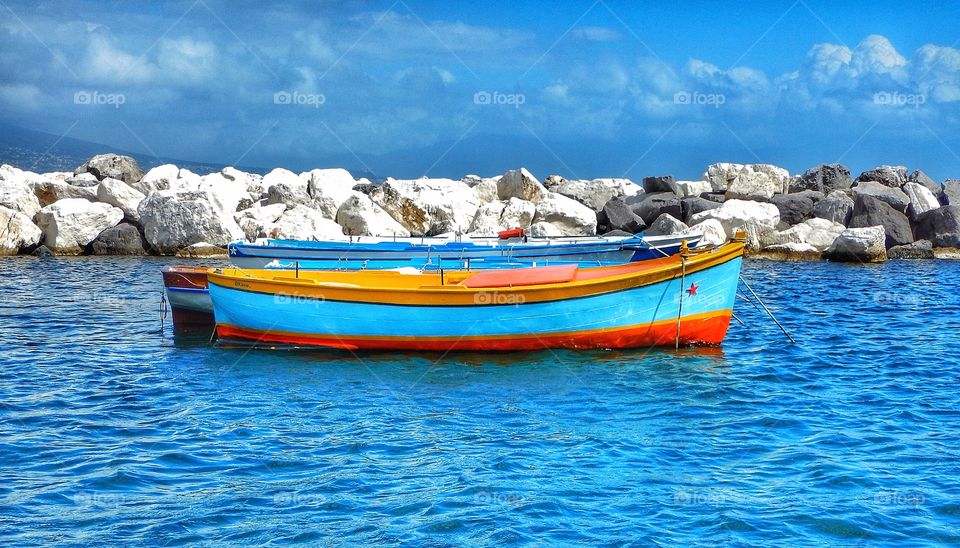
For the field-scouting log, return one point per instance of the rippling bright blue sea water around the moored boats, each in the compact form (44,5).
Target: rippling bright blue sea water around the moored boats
(113,432)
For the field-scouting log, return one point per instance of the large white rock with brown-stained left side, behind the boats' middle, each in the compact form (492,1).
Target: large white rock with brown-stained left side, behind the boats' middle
(428,206)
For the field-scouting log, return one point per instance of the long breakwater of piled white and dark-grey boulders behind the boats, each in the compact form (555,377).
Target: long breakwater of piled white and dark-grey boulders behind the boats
(110,206)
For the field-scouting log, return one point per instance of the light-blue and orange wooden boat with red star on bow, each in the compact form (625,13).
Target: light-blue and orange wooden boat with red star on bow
(684,299)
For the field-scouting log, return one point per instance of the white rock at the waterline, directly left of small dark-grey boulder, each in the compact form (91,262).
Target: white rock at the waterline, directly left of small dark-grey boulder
(70,224)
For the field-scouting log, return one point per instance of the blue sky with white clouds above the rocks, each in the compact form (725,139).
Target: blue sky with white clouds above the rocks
(410,88)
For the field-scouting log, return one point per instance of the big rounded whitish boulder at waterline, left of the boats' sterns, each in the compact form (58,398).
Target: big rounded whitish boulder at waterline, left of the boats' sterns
(173,220)
